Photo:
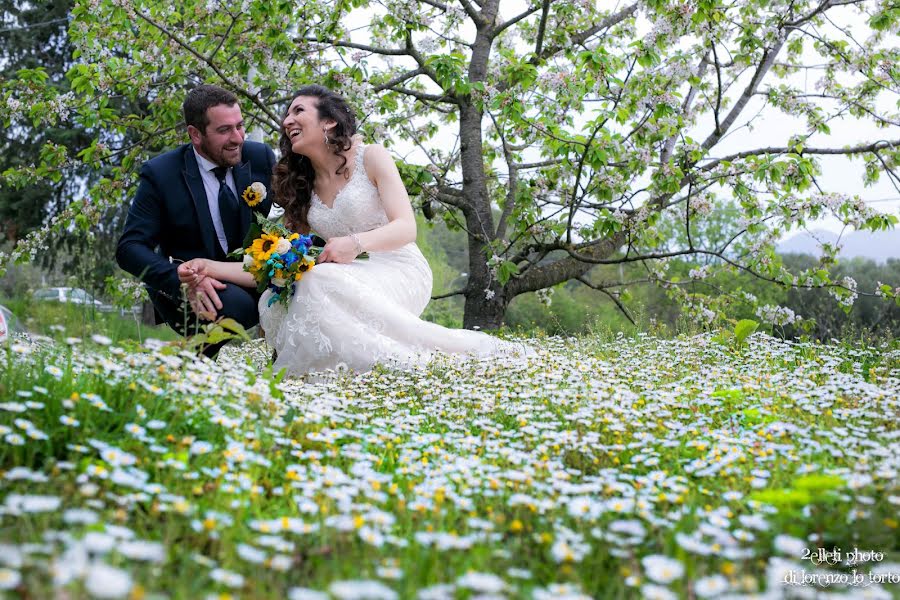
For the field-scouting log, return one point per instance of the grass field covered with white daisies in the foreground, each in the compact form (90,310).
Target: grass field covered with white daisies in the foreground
(619,468)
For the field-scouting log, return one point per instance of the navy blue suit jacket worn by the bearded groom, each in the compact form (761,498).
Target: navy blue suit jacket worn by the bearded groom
(169,216)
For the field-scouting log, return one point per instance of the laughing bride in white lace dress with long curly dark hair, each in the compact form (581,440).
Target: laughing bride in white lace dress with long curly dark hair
(346,313)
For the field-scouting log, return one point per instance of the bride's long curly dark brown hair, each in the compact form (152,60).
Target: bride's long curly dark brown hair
(294,177)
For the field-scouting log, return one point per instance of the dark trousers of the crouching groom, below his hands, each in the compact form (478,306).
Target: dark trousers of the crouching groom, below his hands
(238,303)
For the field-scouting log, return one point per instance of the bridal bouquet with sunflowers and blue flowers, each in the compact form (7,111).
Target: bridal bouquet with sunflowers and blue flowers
(276,258)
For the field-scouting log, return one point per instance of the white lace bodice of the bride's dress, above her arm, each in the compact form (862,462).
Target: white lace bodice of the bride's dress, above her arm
(357,207)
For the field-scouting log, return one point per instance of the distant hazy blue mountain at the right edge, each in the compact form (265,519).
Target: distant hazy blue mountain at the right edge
(878,246)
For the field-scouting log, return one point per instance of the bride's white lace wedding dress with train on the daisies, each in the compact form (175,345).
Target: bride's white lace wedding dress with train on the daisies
(366,312)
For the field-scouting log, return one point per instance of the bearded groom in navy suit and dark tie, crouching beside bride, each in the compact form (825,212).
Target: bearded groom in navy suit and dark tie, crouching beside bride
(191,203)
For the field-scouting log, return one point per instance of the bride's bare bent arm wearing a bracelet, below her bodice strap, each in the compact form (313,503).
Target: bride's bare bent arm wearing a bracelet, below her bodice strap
(401,227)
